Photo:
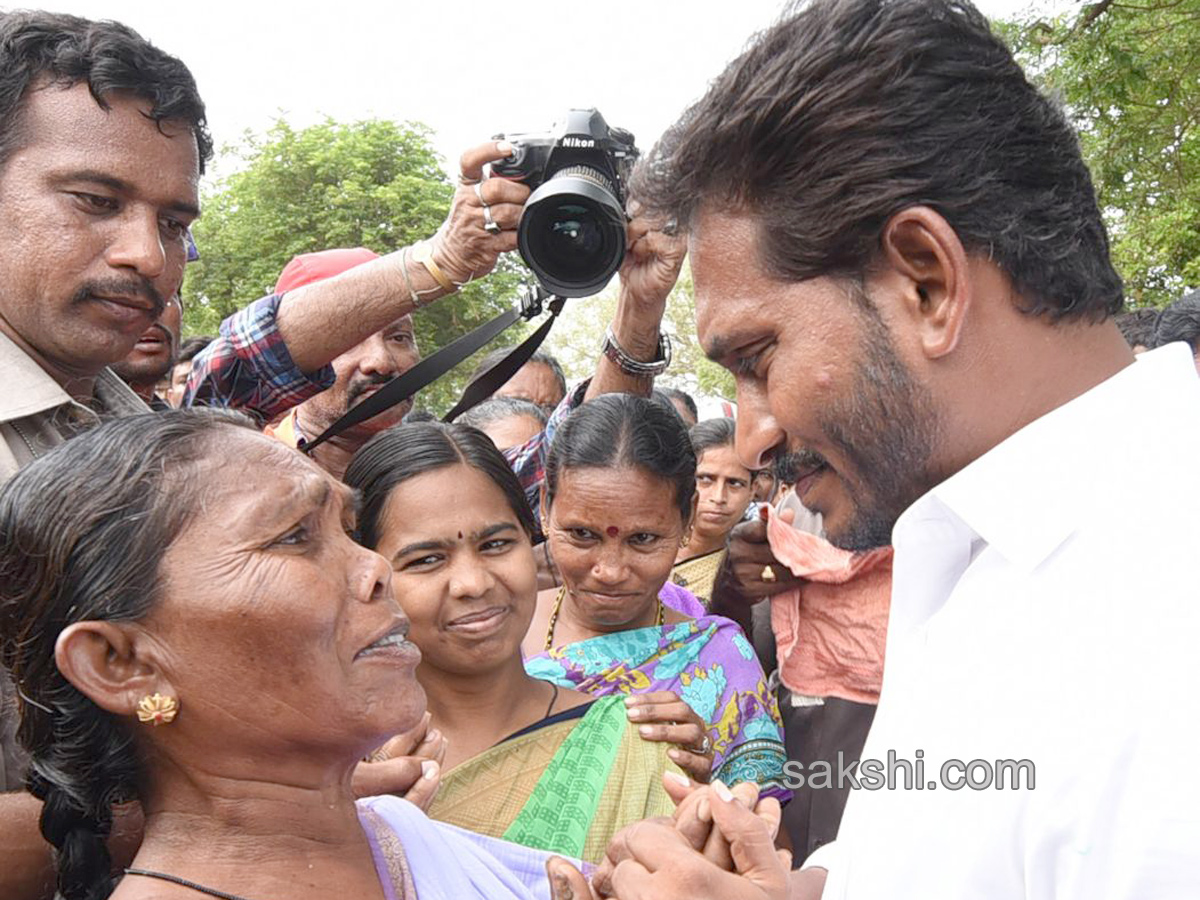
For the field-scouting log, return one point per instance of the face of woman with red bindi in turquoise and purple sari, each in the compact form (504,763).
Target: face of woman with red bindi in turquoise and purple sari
(614,535)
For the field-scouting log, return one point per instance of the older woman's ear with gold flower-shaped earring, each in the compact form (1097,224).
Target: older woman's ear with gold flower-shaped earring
(101,661)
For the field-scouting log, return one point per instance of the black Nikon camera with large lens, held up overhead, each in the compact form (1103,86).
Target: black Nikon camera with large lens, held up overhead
(573,227)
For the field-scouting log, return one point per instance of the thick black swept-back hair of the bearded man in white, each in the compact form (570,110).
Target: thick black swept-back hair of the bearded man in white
(848,112)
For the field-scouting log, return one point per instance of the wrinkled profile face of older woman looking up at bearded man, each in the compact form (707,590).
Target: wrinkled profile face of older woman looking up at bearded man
(279,633)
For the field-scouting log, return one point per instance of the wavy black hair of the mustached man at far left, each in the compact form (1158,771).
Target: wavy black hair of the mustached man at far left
(43,49)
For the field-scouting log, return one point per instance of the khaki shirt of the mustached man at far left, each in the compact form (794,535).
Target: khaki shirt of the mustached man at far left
(37,416)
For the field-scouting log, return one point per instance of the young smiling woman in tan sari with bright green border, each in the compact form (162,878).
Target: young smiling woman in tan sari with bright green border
(533,763)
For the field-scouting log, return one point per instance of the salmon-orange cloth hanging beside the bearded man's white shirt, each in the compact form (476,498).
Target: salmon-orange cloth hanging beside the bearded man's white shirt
(831,631)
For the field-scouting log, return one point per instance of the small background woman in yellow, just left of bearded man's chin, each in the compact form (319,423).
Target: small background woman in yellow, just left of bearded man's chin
(724,489)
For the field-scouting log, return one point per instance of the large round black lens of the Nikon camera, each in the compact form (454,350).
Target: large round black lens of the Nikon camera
(573,232)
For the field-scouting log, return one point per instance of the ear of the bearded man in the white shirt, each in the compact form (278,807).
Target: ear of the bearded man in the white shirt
(925,251)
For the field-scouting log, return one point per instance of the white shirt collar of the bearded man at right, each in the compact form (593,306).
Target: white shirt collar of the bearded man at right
(1027,496)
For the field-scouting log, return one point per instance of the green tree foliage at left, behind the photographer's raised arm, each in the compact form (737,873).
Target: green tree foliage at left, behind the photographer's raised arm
(374,184)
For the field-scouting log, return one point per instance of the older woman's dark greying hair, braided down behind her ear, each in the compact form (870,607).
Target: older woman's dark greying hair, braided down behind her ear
(82,535)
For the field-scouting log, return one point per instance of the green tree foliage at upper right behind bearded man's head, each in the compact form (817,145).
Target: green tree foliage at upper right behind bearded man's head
(1130,75)
